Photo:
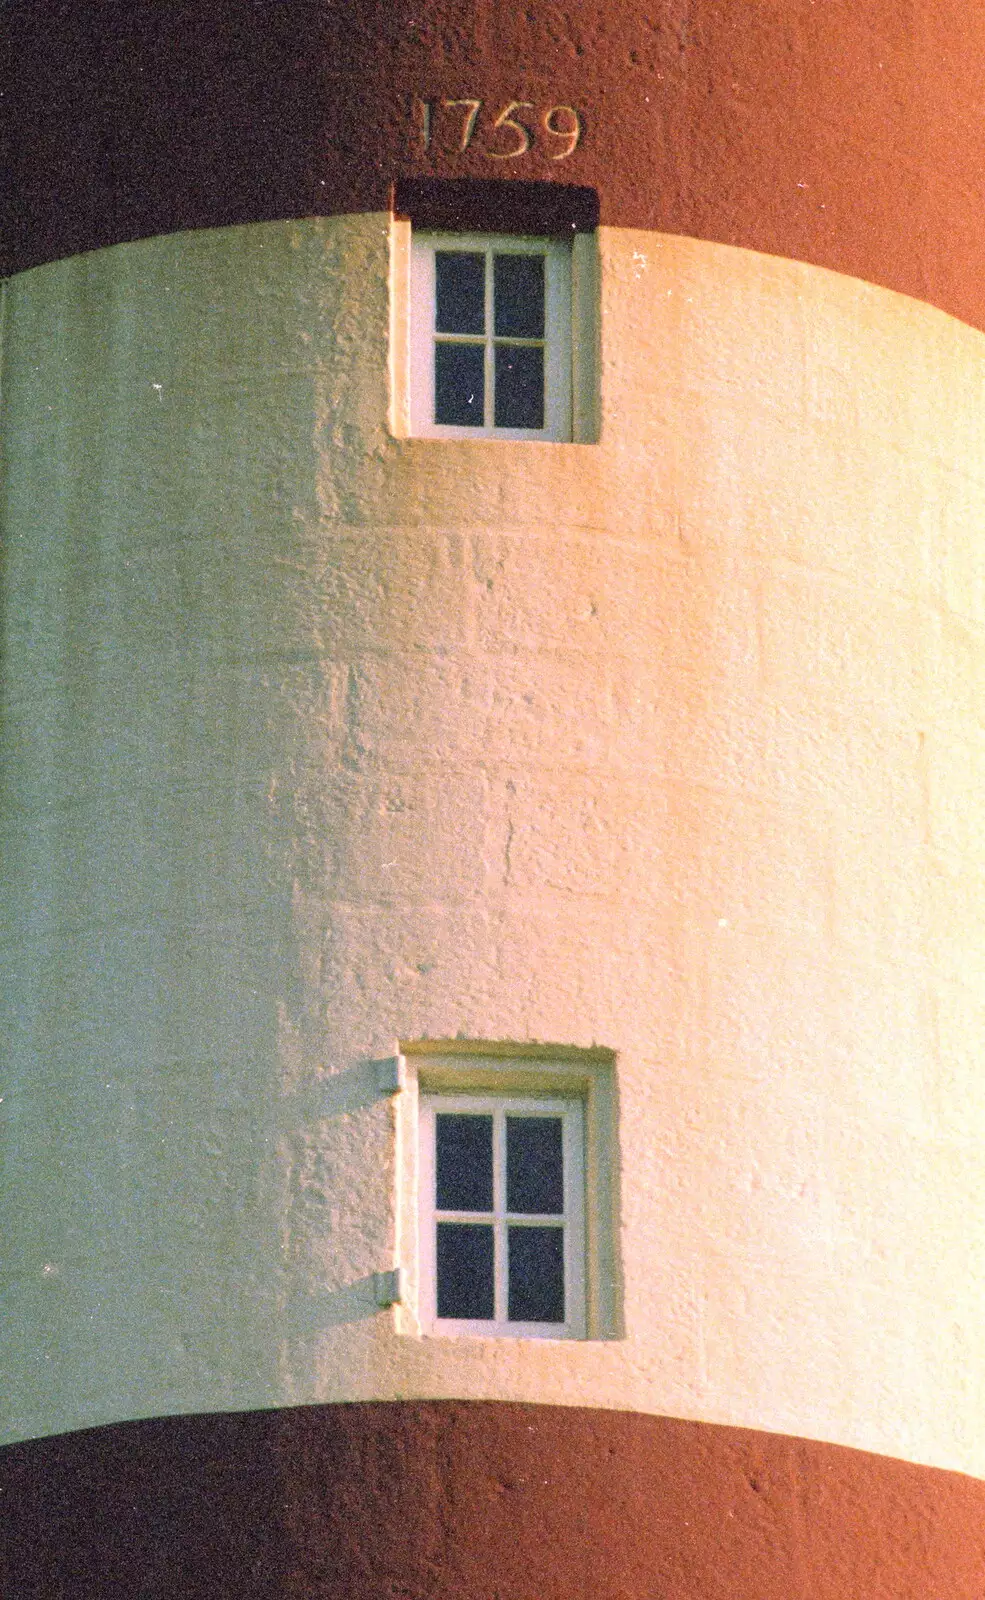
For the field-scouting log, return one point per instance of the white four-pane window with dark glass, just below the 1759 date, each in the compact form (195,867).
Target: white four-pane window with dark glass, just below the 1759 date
(492,337)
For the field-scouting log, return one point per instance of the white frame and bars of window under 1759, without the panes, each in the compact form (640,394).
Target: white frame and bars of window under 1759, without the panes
(557,334)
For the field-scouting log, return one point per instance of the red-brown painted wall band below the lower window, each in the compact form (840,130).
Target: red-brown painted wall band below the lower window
(476,1502)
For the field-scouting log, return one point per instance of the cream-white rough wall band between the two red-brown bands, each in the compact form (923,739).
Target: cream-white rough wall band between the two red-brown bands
(317,740)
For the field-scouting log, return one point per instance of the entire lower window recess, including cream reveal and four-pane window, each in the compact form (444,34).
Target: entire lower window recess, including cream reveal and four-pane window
(509,1196)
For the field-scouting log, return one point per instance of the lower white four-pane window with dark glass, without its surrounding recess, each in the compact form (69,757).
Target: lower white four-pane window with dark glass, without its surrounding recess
(503,1215)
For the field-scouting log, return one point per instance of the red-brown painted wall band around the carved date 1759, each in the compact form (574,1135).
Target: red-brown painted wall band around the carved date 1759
(842,134)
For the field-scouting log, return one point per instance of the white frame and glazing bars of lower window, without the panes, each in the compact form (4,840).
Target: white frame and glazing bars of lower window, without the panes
(572,1218)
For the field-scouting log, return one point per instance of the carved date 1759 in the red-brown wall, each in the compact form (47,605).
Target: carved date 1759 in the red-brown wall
(508,135)
